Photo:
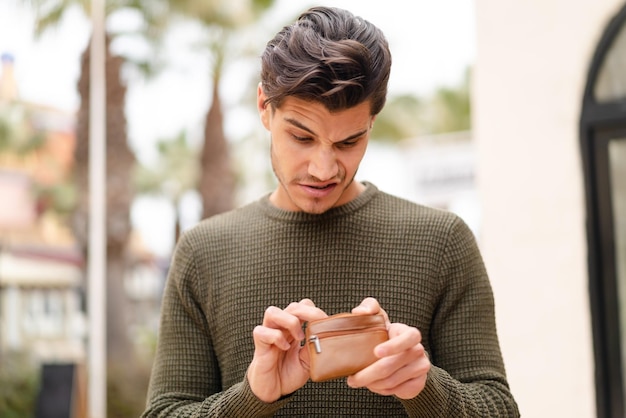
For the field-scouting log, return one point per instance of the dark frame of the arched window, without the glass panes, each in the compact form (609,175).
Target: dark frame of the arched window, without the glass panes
(599,123)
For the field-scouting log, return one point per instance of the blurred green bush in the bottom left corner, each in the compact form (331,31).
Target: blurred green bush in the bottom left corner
(19,380)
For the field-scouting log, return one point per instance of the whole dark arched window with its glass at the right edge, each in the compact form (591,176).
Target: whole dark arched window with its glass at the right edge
(603,148)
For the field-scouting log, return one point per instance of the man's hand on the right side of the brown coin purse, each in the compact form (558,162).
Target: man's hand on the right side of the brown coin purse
(402,366)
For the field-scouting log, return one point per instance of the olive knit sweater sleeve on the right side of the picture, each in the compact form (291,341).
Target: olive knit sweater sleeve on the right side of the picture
(467,377)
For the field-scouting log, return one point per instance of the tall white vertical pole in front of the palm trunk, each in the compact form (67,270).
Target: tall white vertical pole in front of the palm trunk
(96,268)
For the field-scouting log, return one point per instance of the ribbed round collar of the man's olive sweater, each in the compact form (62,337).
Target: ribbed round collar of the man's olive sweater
(293,216)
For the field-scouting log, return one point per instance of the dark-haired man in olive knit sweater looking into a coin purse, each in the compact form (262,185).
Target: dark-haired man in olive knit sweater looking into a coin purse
(242,284)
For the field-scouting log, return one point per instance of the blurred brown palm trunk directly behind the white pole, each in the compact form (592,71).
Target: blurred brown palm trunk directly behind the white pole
(119,164)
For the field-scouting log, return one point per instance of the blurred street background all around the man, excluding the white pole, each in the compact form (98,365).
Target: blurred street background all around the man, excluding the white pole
(511,115)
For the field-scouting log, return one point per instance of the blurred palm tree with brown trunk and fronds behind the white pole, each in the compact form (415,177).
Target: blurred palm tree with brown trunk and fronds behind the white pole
(120,158)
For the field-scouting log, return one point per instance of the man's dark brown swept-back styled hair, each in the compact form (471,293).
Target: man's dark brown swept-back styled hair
(328,56)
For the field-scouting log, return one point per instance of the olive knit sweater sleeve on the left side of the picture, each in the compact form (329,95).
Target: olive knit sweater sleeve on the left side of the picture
(185,379)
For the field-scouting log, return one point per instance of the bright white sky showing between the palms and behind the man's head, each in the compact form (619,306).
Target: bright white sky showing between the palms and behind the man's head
(432,43)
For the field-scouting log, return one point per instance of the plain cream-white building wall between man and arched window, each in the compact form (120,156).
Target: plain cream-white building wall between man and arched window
(530,72)
